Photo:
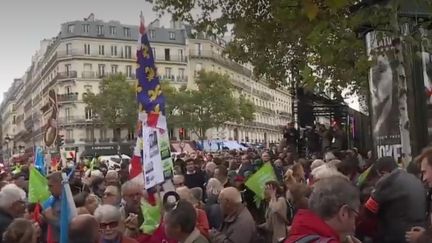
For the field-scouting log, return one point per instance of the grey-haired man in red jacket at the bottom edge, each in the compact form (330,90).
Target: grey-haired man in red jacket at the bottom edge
(333,207)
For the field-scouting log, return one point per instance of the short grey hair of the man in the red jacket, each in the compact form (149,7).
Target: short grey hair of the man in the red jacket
(330,194)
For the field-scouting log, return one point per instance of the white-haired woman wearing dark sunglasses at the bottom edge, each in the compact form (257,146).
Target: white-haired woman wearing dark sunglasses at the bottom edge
(110,224)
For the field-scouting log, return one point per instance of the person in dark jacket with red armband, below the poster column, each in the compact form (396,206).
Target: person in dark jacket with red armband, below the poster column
(396,202)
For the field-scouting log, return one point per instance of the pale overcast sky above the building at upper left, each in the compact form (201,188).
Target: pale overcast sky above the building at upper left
(24,23)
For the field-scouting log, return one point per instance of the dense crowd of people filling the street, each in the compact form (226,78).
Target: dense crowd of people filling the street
(337,197)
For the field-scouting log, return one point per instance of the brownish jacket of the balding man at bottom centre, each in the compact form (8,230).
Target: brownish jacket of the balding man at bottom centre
(239,228)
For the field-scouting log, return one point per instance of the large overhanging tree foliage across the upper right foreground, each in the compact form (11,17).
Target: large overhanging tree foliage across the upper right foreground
(309,41)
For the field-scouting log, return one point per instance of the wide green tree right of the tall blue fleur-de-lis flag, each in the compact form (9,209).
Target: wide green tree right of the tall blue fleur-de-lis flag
(210,105)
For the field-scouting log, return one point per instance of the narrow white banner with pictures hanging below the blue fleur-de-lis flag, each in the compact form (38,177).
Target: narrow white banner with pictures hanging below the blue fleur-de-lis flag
(152,161)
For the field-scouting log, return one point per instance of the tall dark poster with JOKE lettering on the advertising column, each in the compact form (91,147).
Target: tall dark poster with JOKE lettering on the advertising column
(383,85)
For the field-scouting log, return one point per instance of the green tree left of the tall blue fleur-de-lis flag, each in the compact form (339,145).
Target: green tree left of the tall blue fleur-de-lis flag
(115,104)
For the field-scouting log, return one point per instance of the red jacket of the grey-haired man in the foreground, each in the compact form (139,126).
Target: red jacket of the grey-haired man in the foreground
(308,223)
